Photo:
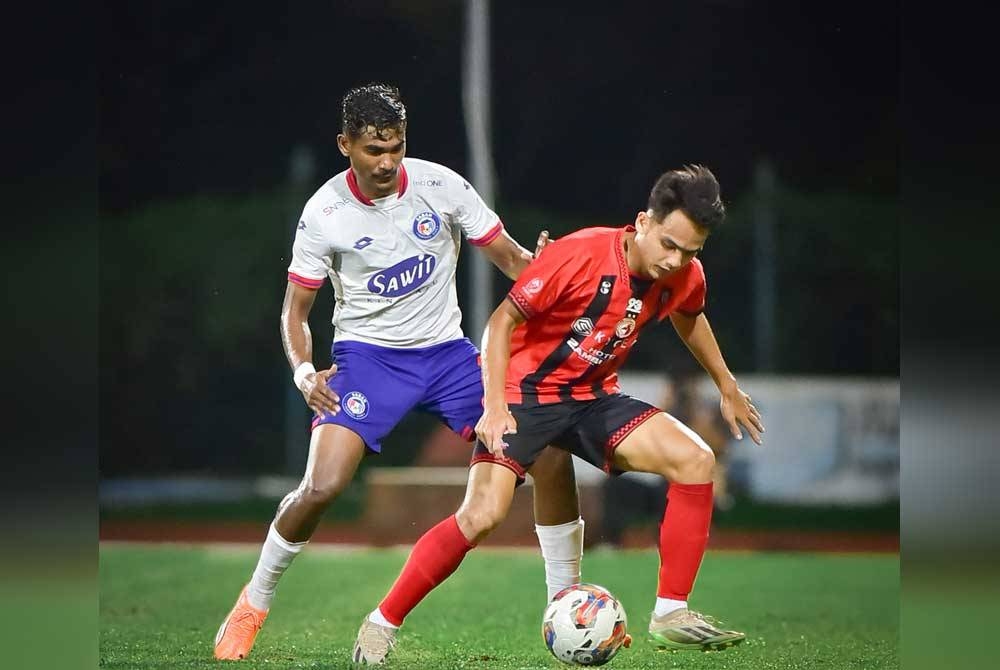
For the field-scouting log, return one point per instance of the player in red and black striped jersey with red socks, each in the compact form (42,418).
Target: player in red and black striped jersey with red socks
(551,352)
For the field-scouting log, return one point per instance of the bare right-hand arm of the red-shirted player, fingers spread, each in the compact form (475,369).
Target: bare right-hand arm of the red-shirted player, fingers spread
(736,405)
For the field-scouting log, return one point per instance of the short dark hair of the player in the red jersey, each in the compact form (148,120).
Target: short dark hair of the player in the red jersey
(694,190)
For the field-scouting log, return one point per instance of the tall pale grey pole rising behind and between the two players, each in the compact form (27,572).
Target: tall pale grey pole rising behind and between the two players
(476,107)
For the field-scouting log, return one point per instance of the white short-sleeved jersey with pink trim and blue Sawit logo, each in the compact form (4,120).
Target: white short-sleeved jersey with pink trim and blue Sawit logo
(392,261)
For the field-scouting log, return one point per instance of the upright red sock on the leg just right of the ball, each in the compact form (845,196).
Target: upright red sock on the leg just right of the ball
(683,537)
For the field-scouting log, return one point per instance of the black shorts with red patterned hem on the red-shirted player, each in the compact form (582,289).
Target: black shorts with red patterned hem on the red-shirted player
(590,429)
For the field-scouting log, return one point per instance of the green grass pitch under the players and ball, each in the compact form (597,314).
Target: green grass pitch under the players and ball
(160,607)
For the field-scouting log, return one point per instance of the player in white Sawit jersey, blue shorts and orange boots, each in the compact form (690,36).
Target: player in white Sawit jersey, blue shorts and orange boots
(387,233)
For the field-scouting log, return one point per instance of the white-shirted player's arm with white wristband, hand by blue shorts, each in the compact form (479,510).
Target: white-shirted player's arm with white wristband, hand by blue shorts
(296,338)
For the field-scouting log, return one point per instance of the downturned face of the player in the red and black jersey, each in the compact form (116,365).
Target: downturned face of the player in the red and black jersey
(664,247)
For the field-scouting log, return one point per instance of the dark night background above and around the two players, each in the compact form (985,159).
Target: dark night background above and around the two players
(200,106)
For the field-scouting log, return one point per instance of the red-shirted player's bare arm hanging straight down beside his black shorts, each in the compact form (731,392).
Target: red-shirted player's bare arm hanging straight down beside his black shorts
(497,420)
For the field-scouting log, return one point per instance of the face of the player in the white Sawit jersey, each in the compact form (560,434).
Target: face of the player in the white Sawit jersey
(375,159)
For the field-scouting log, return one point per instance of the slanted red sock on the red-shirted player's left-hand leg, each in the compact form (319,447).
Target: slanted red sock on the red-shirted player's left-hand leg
(434,557)
